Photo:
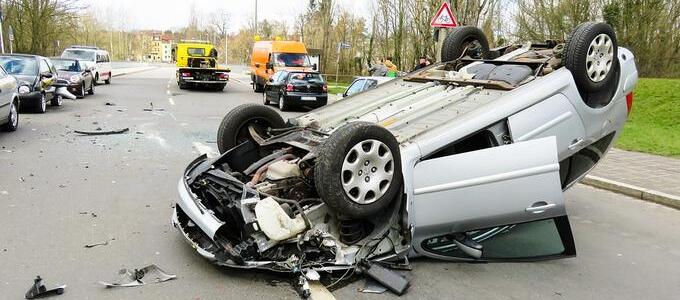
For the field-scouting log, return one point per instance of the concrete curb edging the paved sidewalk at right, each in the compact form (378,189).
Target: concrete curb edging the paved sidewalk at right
(633,191)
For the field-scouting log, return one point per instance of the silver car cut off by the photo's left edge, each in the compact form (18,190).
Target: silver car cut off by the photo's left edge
(9,102)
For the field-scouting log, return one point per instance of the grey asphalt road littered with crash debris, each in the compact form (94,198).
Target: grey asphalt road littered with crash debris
(60,191)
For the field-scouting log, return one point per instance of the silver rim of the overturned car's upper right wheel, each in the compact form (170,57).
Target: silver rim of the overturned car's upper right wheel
(600,57)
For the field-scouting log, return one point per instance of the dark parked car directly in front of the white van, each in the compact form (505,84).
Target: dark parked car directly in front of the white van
(80,78)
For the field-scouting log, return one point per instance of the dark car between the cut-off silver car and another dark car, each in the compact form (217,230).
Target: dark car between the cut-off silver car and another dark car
(35,76)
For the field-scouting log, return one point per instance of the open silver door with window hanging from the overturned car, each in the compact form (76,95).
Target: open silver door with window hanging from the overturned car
(499,203)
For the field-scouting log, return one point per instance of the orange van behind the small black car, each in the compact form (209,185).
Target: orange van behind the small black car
(268,57)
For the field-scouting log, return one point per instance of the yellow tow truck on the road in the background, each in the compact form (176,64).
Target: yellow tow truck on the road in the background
(197,66)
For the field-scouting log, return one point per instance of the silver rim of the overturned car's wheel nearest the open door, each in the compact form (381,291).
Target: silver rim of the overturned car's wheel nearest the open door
(367,171)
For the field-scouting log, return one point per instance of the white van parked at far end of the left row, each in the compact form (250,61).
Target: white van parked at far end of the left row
(96,59)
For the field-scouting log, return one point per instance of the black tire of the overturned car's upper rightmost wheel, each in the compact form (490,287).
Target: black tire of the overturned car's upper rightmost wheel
(577,51)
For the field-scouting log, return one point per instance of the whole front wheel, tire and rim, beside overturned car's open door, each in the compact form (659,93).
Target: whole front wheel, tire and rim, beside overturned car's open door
(358,170)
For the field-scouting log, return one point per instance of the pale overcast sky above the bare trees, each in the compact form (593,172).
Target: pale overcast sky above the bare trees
(173,14)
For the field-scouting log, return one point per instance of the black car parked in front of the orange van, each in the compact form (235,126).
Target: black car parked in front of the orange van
(291,88)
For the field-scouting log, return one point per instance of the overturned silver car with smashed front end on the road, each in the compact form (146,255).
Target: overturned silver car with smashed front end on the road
(464,160)
